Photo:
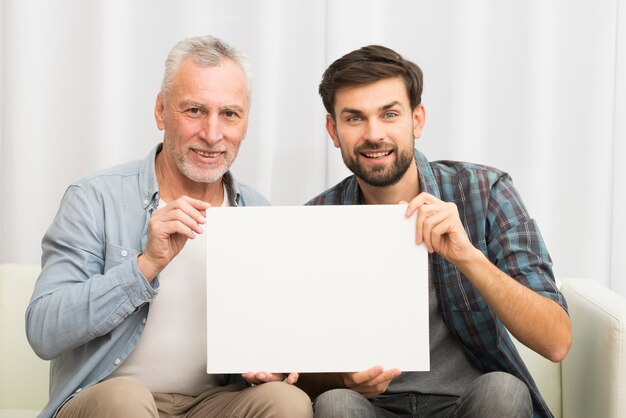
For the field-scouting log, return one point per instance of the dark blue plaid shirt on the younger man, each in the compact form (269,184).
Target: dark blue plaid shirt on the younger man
(497,223)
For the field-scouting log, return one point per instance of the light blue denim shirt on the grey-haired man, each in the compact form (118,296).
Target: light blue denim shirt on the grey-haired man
(91,302)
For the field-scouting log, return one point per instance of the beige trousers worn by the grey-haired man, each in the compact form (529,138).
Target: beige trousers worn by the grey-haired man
(123,397)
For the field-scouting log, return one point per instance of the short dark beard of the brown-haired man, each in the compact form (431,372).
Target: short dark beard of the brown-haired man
(378,176)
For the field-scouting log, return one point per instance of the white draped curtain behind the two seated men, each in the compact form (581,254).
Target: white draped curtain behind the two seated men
(534,87)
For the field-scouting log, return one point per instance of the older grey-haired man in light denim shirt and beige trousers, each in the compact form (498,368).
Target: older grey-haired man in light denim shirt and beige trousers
(120,306)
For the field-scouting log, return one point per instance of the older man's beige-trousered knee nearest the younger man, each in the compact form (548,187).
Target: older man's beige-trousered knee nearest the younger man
(280,399)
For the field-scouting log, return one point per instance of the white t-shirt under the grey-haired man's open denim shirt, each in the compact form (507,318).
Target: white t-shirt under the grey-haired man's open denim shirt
(171,354)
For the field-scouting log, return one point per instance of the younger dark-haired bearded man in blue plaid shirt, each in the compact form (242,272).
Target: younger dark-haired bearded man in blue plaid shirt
(489,268)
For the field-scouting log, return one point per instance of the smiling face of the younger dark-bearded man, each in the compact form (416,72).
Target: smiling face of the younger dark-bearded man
(375,129)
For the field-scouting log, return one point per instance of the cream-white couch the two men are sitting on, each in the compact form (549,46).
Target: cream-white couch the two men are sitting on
(590,383)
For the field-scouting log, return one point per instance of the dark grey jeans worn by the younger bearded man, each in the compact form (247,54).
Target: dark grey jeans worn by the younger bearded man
(493,395)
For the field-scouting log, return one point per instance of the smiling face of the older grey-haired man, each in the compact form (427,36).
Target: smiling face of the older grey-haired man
(205,118)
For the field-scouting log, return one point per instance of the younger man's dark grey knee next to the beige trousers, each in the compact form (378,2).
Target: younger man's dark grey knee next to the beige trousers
(341,403)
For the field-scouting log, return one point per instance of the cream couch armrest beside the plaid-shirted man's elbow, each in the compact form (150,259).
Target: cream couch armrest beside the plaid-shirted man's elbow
(593,373)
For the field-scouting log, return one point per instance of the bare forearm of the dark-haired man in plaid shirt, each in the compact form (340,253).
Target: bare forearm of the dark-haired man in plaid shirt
(535,320)
